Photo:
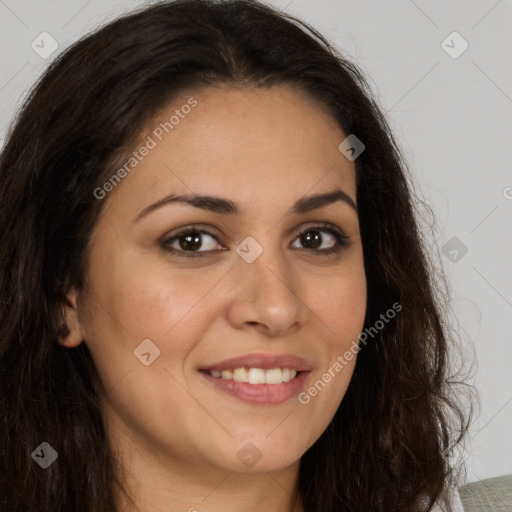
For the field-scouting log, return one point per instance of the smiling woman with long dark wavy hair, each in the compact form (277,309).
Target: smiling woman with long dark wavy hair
(214,292)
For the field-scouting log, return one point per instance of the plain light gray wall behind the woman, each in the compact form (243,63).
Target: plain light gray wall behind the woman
(452,117)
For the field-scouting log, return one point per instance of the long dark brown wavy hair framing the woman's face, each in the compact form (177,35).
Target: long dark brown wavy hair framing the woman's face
(383,450)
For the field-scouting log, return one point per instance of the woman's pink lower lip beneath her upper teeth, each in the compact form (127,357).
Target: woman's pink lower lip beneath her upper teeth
(260,393)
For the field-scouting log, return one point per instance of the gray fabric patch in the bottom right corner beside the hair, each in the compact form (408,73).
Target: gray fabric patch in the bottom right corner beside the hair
(491,495)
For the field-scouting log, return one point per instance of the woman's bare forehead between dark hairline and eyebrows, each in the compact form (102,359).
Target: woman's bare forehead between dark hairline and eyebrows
(262,144)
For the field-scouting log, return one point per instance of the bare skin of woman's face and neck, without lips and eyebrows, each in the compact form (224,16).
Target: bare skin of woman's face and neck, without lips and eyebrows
(175,433)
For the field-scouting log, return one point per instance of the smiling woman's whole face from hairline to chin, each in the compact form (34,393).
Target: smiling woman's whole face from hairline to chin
(256,289)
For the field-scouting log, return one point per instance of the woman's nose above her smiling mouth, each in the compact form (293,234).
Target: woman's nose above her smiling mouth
(265,295)
